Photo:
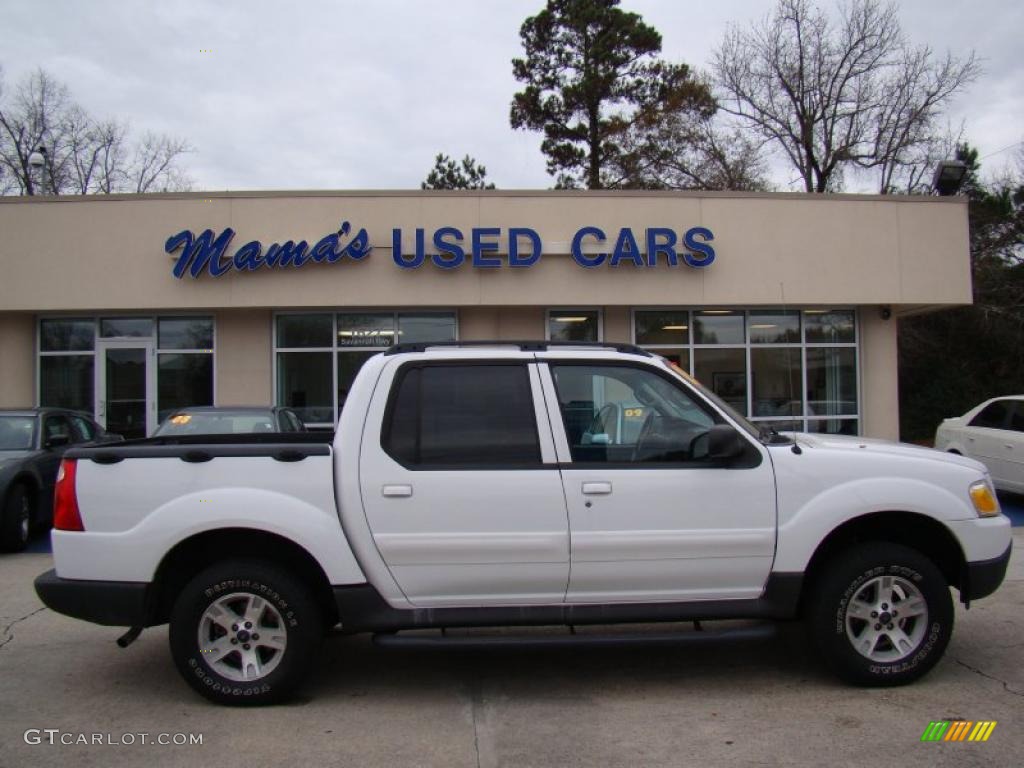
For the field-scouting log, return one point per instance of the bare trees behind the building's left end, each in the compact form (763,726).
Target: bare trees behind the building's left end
(80,155)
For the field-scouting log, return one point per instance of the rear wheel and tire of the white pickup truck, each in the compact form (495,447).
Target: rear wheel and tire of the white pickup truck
(234,664)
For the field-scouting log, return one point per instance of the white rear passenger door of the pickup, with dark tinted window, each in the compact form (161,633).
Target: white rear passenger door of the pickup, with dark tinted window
(461,487)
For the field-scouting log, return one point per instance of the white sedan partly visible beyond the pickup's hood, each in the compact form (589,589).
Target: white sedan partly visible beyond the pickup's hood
(993,434)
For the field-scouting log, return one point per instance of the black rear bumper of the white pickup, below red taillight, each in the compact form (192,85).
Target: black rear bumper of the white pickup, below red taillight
(109,604)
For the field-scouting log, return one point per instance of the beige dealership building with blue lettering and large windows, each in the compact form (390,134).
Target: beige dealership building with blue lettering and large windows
(785,305)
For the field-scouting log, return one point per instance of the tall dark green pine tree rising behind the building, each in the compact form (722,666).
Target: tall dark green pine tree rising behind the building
(589,69)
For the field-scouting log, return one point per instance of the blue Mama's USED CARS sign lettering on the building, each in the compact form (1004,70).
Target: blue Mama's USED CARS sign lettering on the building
(446,248)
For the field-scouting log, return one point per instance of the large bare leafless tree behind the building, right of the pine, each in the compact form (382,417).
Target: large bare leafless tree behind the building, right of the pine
(835,97)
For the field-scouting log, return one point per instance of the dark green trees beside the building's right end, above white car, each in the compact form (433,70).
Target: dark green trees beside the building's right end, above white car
(954,360)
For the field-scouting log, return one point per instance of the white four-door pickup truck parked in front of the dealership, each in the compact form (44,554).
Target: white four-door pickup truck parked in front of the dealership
(514,484)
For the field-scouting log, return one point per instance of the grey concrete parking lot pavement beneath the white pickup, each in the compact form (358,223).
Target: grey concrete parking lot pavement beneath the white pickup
(753,704)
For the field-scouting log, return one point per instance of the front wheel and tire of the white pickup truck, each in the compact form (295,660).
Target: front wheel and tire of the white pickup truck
(881,579)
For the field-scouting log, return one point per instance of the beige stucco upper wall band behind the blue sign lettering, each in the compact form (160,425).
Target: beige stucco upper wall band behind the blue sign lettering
(772,249)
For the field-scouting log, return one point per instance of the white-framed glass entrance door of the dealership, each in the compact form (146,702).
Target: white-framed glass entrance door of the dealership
(126,402)
